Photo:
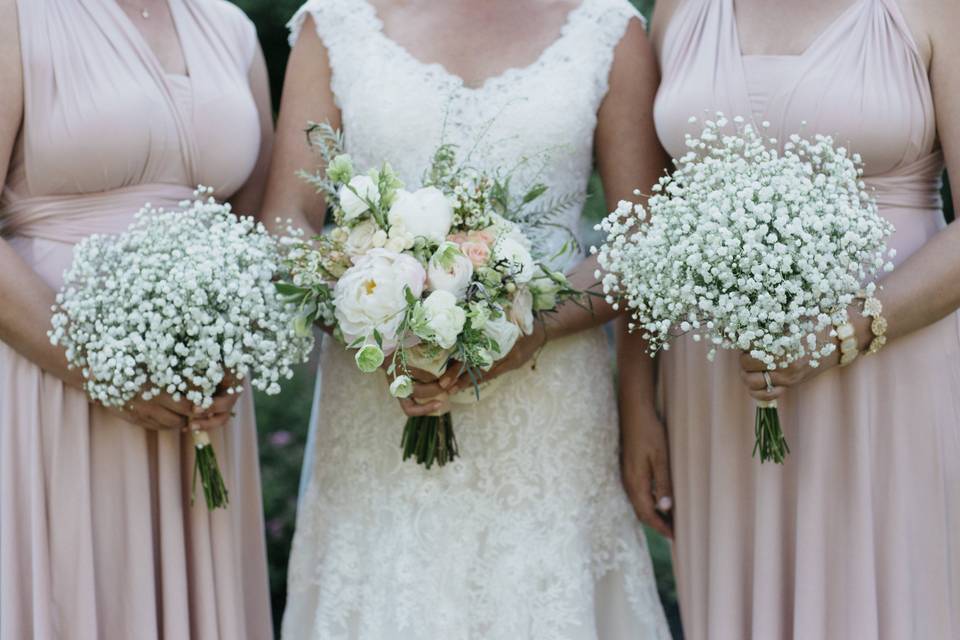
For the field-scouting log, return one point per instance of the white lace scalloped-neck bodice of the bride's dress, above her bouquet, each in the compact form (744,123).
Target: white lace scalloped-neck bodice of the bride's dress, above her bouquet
(396,108)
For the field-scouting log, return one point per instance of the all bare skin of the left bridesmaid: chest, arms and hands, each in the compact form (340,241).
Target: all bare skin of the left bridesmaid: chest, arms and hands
(25,299)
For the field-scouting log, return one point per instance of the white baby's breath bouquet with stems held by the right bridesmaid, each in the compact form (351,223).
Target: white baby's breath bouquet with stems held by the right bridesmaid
(749,248)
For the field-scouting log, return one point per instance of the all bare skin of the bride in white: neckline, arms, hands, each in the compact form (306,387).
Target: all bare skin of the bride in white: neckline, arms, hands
(477,40)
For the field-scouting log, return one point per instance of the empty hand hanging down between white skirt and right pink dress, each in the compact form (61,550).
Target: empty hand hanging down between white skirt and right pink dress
(646,472)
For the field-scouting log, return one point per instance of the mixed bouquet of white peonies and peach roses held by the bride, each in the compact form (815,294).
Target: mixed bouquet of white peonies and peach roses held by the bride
(418,280)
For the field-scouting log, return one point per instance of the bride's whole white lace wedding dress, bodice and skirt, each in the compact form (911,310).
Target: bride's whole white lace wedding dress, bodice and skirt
(529,534)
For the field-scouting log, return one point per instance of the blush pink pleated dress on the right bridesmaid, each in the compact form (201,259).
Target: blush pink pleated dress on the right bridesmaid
(857,536)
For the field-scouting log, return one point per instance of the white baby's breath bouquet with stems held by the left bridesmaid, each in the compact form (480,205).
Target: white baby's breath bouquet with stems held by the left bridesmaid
(181,303)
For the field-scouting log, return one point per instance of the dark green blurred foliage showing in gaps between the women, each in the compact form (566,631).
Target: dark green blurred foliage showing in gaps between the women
(284,419)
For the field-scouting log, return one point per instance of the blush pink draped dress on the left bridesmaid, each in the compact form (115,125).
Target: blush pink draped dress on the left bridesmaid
(97,537)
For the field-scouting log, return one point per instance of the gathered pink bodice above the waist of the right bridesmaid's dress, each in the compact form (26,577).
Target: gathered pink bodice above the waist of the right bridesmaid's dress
(861,81)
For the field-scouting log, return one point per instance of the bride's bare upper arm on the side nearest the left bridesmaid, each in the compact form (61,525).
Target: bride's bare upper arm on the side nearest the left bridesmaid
(307,97)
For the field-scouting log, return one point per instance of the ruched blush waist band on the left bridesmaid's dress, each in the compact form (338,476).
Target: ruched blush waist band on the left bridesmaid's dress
(70,219)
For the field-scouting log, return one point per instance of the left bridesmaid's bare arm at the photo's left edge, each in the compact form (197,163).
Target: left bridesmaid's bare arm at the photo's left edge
(25,299)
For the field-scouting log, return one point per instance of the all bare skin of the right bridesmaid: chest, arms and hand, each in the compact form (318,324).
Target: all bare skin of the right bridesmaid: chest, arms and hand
(924,288)
